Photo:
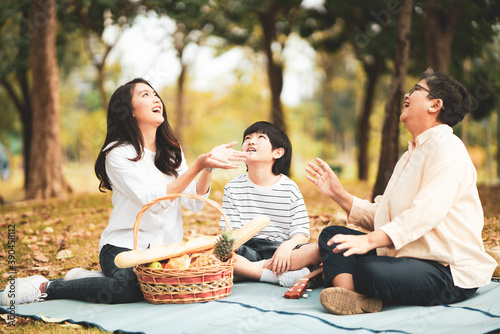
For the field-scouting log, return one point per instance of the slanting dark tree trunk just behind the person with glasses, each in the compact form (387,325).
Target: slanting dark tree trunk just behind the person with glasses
(390,134)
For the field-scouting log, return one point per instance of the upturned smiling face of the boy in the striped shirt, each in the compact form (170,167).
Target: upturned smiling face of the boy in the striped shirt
(260,149)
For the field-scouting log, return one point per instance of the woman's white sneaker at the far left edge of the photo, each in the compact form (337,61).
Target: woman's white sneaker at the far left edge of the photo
(24,290)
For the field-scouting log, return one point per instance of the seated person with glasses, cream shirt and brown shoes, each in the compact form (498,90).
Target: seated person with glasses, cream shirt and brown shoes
(425,245)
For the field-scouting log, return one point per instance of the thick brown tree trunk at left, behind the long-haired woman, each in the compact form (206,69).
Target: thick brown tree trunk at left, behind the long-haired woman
(45,170)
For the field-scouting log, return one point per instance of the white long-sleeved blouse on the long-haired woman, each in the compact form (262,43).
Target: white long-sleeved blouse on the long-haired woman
(135,184)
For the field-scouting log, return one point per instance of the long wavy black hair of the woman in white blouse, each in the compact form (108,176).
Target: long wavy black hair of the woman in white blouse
(123,129)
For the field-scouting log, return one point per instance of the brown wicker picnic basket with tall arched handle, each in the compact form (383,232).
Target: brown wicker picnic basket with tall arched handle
(182,286)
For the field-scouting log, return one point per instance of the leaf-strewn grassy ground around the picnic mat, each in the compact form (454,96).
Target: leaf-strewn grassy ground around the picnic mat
(44,228)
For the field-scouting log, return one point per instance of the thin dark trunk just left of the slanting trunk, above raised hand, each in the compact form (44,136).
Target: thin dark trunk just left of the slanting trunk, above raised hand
(372,71)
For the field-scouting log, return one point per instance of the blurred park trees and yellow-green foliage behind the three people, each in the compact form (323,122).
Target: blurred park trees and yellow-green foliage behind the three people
(328,72)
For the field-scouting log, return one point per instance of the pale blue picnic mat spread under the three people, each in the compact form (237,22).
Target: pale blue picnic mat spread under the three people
(260,308)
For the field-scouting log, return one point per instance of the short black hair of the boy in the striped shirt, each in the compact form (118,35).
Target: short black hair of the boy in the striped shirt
(278,139)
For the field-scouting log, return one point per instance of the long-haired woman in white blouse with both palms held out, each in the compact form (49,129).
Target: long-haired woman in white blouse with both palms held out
(141,160)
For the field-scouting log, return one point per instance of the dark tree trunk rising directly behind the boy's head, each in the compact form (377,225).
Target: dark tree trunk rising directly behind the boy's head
(274,69)
